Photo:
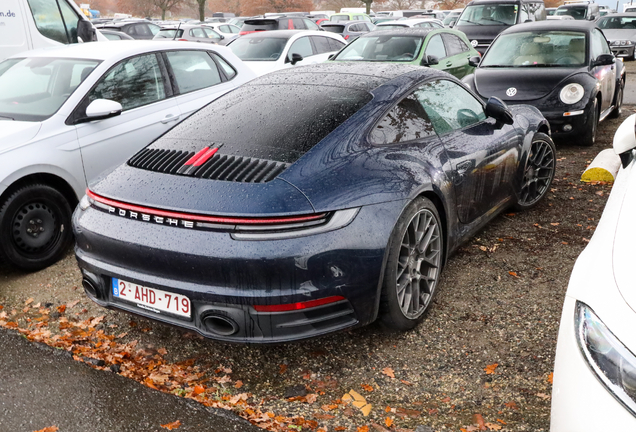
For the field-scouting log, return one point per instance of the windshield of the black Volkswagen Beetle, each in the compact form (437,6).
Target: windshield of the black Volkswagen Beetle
(532,49)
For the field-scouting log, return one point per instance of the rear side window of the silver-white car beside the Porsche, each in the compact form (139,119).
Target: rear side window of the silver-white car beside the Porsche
(193,70)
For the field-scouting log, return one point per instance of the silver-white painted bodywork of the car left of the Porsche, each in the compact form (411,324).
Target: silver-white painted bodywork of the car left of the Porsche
(52,147)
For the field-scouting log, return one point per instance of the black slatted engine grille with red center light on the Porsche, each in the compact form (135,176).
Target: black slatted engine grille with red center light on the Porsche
(217,167)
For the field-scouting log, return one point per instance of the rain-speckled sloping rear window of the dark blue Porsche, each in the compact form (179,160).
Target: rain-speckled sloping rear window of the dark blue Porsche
(279,123)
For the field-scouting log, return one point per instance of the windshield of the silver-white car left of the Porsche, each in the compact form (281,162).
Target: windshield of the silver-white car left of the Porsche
(33,89)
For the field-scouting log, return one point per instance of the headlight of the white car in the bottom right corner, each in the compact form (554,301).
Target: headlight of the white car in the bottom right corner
(610,360)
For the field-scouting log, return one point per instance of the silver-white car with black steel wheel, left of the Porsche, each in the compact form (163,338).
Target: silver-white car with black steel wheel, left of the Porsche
(70,114)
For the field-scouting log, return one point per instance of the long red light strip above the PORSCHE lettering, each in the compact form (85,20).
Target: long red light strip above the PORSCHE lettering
(198,218)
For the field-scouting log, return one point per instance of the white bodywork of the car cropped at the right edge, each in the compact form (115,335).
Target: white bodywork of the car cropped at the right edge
(601,279)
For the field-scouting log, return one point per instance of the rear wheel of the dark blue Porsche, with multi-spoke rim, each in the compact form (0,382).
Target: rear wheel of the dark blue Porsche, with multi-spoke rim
(411,270)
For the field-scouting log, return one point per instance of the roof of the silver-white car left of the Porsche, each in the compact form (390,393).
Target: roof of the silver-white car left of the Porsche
(106,50)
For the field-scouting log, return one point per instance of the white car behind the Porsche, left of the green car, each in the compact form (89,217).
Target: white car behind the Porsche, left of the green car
(269,51)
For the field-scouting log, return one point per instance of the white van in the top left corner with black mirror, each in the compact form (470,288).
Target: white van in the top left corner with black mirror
(31,24)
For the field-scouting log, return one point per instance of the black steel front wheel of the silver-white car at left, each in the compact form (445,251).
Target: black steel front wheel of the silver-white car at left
(35,227)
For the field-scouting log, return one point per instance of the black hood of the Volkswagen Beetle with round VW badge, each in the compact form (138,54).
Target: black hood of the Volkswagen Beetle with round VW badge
(530,83)
